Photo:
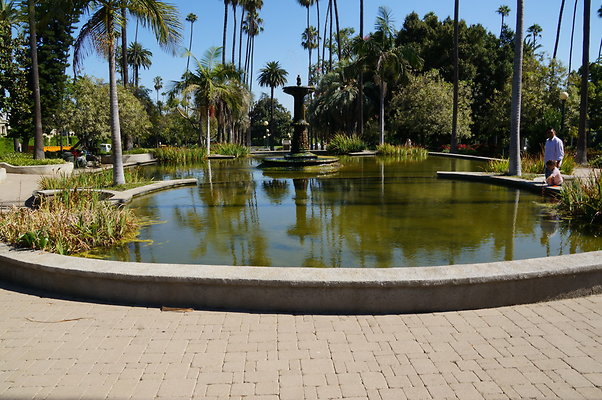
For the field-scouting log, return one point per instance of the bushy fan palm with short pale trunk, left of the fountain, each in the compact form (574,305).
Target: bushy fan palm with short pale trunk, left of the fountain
(212,84)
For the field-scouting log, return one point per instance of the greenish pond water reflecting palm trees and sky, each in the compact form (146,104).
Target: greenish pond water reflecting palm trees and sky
(372,212)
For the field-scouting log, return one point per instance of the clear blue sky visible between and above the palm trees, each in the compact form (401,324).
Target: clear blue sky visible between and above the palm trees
(285,20)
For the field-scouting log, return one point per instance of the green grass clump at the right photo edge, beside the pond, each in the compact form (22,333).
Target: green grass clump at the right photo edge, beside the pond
(582,199)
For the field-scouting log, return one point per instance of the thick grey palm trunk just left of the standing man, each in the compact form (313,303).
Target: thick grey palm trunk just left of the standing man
(514,157)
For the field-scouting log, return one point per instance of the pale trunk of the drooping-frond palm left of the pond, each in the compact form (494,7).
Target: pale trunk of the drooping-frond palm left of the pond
(118,175)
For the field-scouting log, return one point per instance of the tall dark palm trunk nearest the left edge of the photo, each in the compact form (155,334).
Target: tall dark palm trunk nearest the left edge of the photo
(35,76)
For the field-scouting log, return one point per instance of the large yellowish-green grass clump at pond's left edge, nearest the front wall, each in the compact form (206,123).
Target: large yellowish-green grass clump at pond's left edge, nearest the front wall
(70,222)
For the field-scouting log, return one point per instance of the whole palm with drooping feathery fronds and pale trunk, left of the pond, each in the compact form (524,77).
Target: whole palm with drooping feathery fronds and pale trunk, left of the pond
(100,32)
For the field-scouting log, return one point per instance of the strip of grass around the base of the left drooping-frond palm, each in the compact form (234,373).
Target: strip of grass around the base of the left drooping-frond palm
(94,180)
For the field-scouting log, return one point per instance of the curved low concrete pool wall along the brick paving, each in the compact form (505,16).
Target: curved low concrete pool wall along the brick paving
(348,290)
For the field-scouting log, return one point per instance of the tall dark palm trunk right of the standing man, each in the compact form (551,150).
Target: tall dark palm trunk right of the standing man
(582,139)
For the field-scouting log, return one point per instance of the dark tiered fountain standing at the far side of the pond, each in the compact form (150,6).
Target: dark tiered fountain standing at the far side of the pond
(300,156)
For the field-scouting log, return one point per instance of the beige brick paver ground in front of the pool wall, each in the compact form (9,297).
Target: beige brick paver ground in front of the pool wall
(62,349)
